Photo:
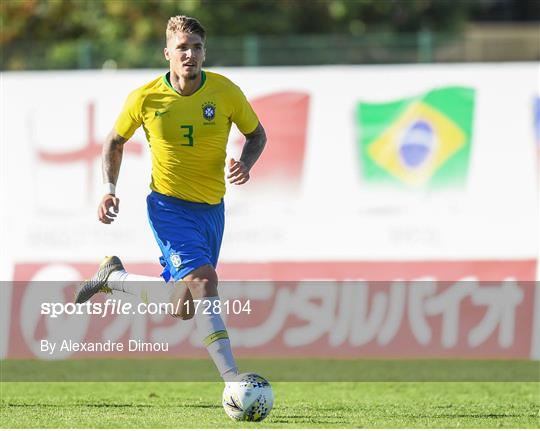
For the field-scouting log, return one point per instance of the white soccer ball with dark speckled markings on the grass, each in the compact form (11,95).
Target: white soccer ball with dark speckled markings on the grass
(248,399)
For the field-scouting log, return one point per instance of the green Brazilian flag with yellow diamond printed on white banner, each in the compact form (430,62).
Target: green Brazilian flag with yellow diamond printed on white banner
(423,141)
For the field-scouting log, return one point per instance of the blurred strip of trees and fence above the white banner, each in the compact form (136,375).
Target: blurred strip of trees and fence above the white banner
(49,34)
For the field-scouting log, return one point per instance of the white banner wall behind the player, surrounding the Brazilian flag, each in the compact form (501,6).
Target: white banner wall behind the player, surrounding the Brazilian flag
(307,200)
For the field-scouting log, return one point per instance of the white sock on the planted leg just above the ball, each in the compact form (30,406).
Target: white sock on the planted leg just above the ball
(216,340)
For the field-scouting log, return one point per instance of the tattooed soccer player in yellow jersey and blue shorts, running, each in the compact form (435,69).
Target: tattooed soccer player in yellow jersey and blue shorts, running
(186,115)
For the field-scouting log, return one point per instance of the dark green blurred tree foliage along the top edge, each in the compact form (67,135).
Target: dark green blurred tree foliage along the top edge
(56,28)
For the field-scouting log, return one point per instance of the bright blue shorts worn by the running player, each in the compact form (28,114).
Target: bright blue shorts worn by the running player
(189,234)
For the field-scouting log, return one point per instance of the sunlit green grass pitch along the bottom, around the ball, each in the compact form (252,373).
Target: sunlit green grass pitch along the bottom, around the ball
(297,404)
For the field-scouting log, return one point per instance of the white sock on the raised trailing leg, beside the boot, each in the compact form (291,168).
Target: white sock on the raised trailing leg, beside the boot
(147,289)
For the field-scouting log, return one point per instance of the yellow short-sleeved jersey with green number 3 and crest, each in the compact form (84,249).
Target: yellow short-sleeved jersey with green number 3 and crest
(188,134)
